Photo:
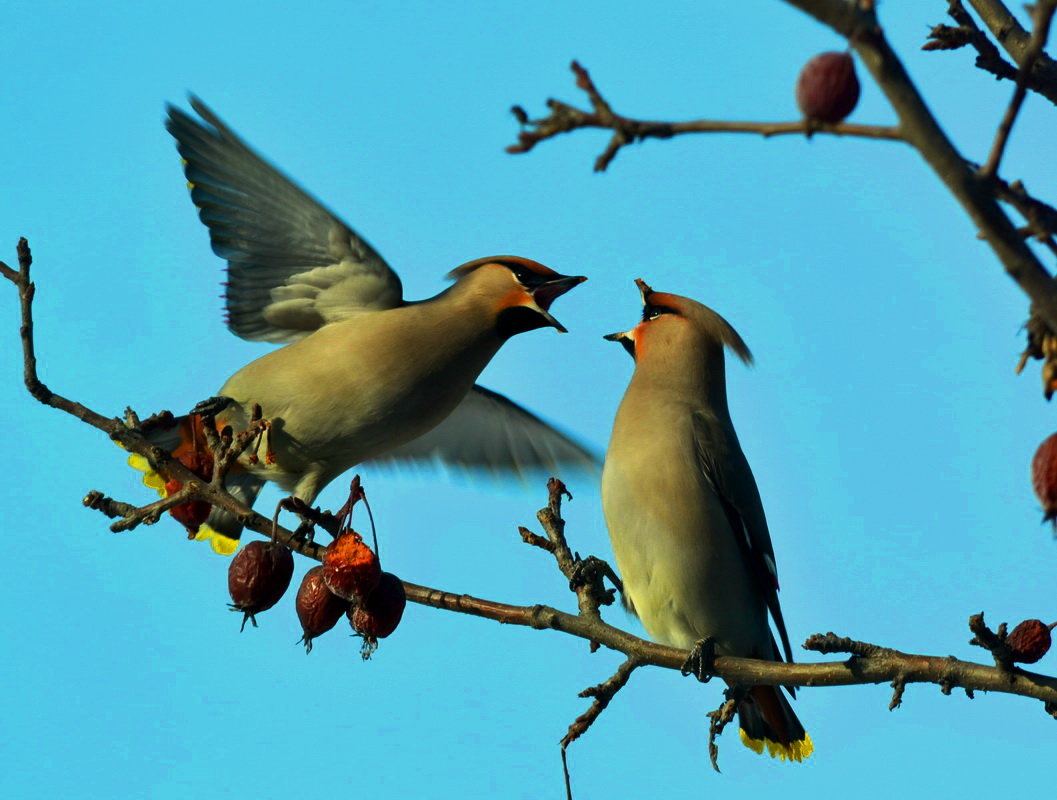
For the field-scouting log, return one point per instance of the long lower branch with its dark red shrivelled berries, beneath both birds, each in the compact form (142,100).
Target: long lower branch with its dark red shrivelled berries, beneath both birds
(349,582)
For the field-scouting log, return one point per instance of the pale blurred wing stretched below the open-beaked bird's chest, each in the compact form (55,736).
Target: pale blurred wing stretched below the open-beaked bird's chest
(488,433)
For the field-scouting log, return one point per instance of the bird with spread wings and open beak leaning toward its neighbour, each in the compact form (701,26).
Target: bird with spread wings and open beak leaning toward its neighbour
(369,377)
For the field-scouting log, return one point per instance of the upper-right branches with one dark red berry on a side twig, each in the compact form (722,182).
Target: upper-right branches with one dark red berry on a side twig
(827,92)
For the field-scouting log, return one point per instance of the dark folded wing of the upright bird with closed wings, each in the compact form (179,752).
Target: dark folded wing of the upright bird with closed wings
(725,467)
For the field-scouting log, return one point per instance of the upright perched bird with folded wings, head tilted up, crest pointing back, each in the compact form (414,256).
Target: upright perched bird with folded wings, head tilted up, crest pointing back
(683,511)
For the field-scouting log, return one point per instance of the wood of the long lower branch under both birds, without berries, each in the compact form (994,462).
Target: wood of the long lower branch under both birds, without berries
(869,664)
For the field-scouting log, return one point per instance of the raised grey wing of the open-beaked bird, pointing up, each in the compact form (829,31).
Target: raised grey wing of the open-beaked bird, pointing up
(292,266)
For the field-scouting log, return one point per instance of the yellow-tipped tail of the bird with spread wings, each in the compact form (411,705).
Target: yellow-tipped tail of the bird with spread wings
(183,437)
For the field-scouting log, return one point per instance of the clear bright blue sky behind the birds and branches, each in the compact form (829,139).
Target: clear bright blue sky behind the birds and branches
(889,437)
